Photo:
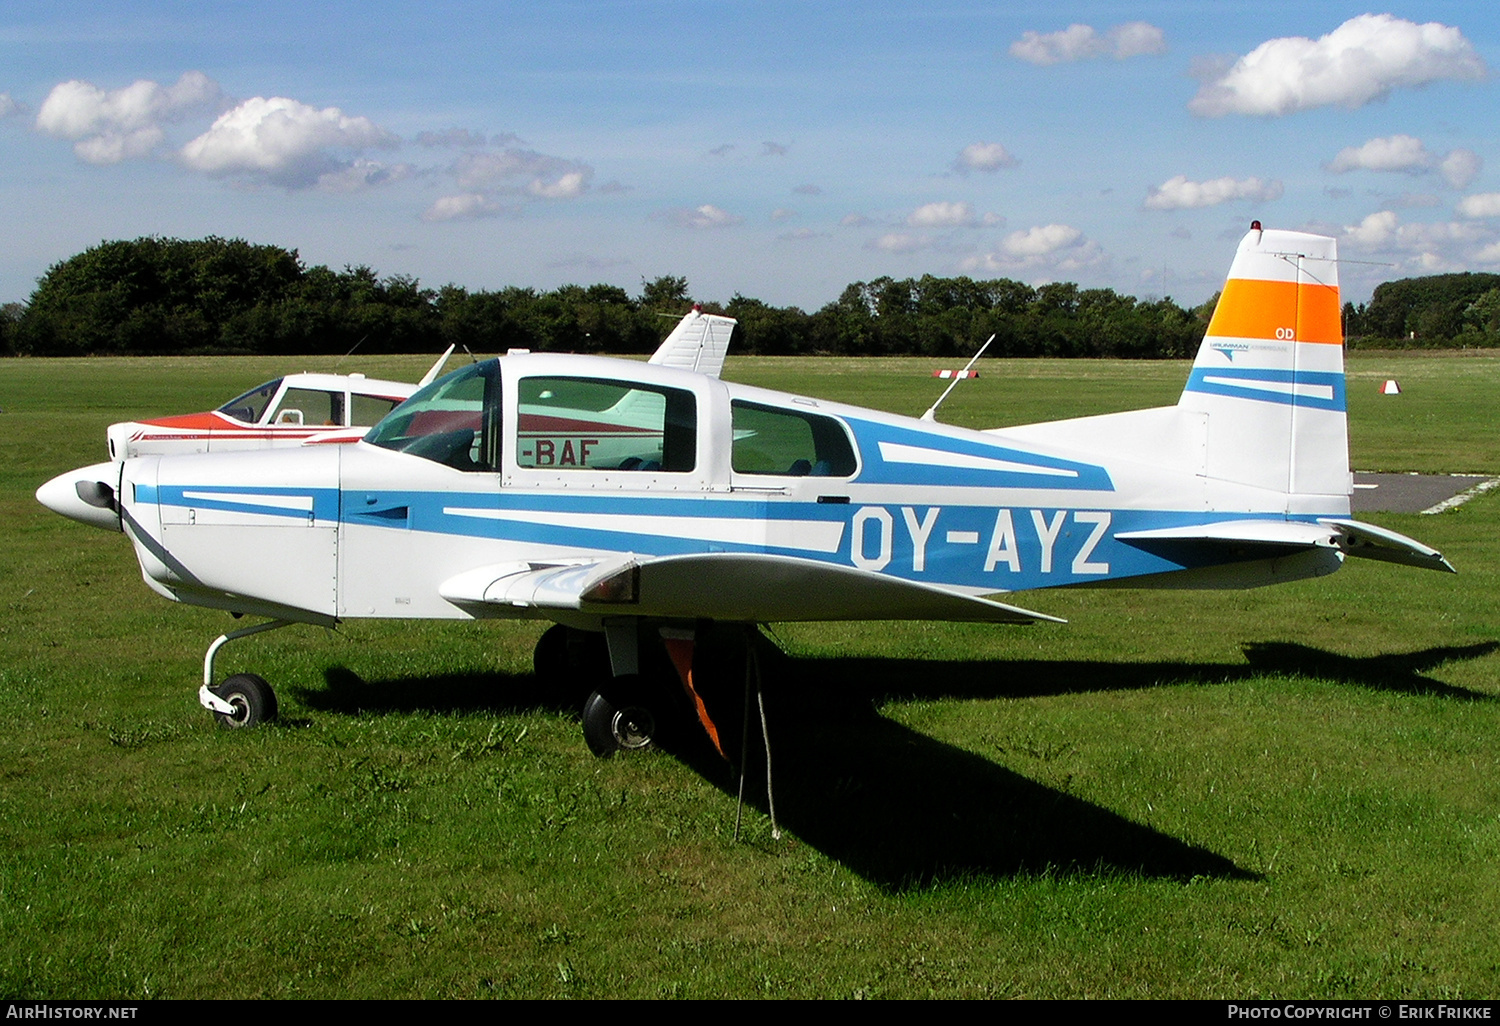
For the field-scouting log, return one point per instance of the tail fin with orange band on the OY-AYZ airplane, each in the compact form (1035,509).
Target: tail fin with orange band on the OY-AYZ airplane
(1271,373)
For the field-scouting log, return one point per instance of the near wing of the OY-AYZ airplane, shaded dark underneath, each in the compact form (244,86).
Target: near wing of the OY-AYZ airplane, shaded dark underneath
(722,586)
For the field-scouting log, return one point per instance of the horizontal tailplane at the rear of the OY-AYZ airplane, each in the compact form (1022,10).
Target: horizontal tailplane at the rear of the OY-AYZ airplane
(1262,539)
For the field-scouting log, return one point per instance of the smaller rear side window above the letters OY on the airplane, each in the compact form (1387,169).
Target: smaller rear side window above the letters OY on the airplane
(788,443)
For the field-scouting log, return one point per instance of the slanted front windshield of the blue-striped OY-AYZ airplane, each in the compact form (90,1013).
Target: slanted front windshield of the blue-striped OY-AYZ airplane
(455,421)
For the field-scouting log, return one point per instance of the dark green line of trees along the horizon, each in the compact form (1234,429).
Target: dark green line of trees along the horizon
(226,296)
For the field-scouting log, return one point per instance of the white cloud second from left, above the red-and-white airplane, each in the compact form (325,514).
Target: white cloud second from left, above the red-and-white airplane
(283,140)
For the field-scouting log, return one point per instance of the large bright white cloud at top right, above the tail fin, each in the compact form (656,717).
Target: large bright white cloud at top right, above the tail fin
(1361,61)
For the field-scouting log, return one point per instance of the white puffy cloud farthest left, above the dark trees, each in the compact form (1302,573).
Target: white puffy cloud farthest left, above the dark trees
(125,124)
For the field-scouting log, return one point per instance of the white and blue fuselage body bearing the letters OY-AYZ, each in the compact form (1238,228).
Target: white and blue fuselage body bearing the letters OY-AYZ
(367,530)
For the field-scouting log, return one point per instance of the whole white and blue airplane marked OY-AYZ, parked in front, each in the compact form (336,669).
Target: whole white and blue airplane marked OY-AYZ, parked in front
(629,503)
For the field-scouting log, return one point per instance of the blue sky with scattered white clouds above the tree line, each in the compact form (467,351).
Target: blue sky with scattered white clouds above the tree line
(773,149)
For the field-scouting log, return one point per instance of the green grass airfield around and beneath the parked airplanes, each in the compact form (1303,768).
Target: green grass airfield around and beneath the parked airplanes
(1291,793)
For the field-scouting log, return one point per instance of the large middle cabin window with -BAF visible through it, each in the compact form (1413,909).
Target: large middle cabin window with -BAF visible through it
(593,424)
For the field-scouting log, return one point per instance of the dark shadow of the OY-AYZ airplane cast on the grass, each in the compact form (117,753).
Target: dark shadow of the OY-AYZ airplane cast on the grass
(902,809)
